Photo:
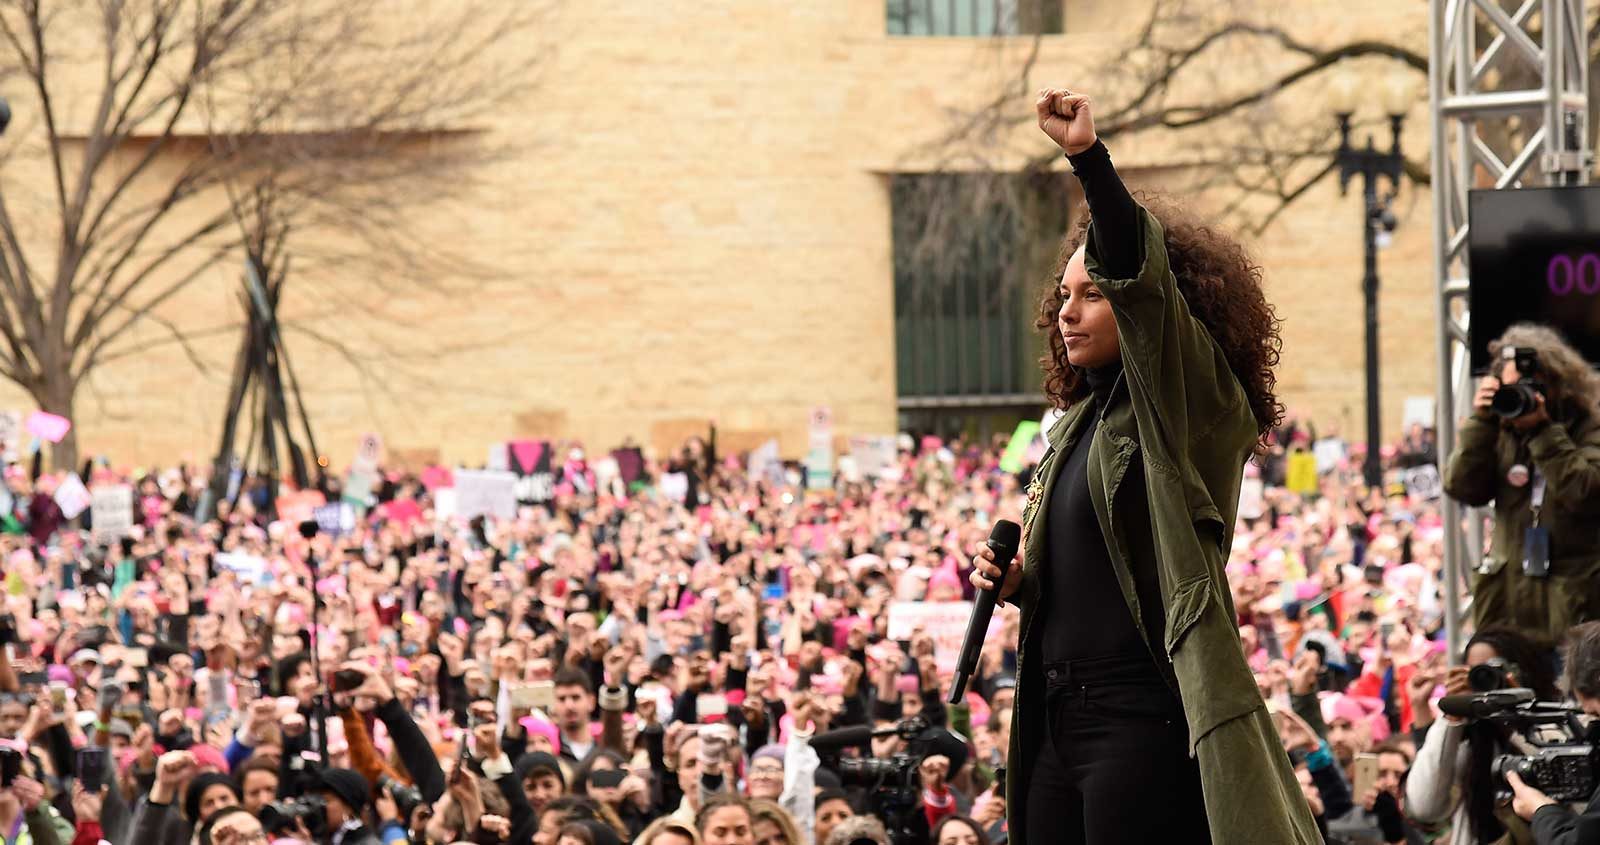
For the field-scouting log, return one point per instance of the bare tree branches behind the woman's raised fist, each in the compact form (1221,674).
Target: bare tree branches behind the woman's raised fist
(1230,79)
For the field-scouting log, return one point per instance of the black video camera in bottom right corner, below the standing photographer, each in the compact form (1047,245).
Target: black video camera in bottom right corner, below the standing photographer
(1559,753)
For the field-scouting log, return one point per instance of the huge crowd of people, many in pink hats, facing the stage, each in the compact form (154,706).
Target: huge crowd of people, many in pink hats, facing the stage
(622,665)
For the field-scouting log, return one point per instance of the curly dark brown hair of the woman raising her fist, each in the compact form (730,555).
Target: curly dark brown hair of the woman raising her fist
(1220,282)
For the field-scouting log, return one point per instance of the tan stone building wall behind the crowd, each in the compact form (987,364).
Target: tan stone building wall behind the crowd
(698,228)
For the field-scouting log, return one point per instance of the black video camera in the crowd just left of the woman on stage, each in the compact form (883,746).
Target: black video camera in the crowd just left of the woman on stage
(892,785)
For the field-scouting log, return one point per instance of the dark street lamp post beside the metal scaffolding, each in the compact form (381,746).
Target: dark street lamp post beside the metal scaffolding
(1372,166)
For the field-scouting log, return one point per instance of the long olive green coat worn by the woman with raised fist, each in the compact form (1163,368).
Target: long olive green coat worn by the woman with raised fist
(1183,412)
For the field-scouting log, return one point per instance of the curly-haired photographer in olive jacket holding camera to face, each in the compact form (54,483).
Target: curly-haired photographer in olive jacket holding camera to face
(1534,449)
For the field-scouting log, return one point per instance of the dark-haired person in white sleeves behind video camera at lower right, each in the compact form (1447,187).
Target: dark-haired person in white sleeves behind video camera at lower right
(1452,777)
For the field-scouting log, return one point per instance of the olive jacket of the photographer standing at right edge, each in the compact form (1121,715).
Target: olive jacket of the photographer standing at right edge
(1567,455)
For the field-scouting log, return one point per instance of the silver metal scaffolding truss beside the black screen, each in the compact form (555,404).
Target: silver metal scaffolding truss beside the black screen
(1494,129)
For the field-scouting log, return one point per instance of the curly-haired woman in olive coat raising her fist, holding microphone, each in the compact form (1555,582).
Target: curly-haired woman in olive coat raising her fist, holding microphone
(1137,716)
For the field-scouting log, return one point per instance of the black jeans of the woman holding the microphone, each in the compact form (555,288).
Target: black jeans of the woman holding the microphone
(1116,766)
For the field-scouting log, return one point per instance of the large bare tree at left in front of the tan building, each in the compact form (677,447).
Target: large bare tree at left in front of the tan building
(174,134)
